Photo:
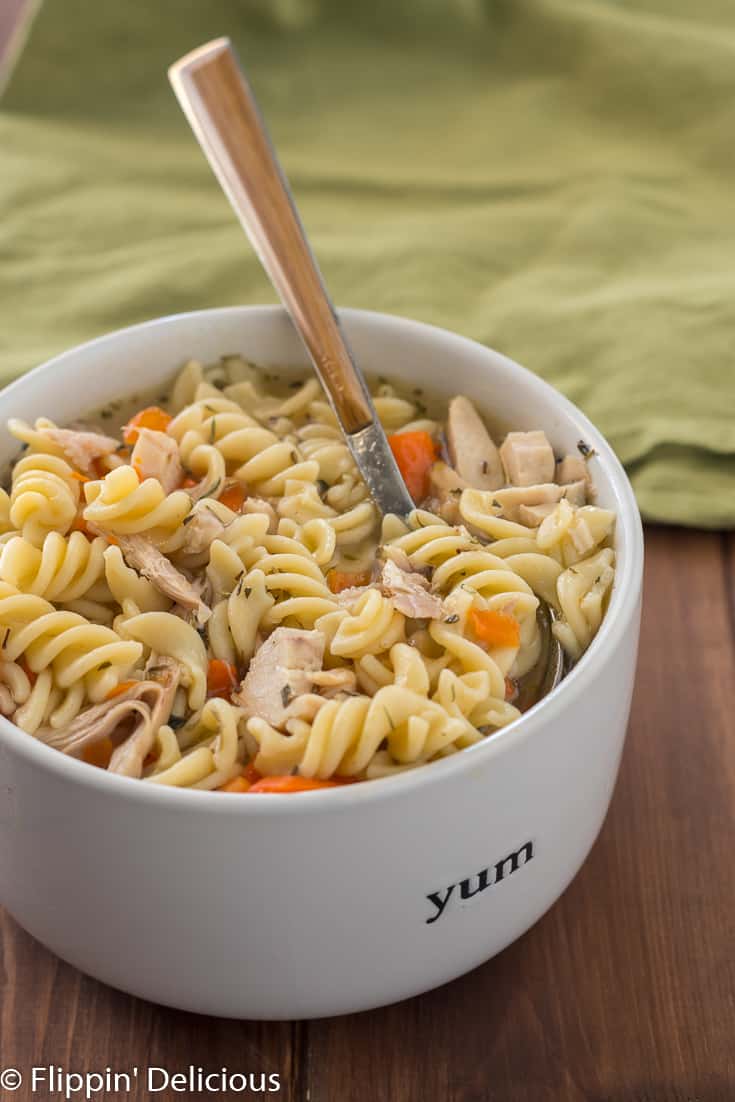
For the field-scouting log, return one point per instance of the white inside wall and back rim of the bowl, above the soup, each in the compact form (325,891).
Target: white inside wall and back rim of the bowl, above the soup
(444,363)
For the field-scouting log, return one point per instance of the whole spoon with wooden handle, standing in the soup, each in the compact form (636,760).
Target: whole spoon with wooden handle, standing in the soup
(222,111)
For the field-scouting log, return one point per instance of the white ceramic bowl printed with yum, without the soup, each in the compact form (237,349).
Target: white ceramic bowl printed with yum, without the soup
(323,903)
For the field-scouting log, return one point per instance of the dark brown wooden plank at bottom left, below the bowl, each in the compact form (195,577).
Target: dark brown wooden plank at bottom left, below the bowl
(52,1014)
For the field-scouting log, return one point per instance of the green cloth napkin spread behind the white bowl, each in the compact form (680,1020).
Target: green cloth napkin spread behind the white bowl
(556,179)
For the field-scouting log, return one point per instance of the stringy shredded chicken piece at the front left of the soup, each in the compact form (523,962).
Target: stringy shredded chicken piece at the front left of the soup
(132,720)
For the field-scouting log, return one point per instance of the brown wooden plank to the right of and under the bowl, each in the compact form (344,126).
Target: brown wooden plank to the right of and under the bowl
(626,990)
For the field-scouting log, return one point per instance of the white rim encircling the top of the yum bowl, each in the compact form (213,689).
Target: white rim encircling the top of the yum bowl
(615,624)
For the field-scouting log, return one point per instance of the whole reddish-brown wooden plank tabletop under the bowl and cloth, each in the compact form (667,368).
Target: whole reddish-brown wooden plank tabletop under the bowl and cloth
(624,992)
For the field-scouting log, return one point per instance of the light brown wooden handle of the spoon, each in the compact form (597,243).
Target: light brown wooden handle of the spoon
(225,118)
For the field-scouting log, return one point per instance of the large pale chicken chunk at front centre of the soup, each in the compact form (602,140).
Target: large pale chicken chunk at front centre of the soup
(280,671)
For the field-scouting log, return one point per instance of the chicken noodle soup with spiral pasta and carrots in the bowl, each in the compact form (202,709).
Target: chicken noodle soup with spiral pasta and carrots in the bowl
(208,597)
